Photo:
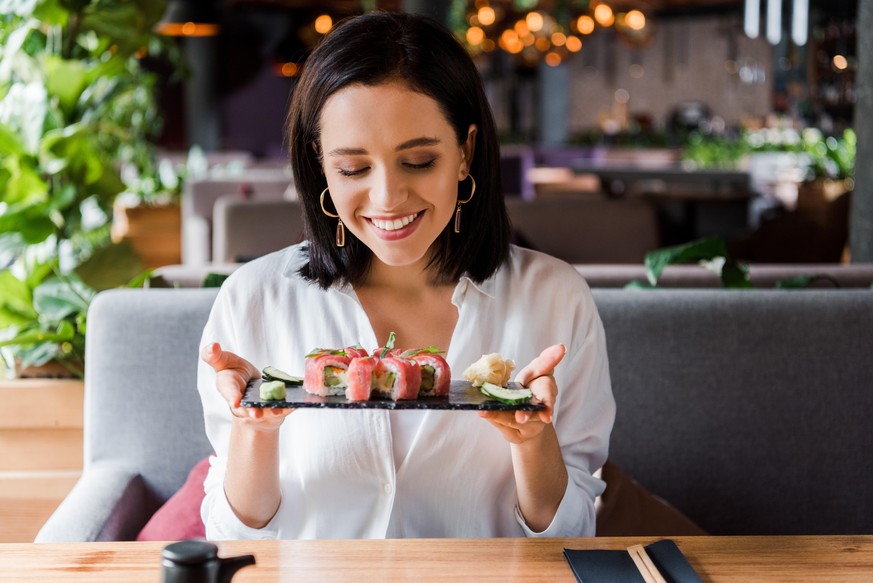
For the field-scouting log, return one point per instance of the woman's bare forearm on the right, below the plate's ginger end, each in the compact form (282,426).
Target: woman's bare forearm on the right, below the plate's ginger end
(540,478)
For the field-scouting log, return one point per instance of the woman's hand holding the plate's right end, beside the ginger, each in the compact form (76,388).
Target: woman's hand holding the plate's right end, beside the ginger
(520,426)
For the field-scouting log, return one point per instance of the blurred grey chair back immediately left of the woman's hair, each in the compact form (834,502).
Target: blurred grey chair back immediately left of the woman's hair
(246,229)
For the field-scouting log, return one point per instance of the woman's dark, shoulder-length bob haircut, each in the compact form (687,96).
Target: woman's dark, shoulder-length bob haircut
(370,50)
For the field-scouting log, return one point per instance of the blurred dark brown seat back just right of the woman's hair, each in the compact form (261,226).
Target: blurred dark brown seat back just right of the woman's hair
(586,229)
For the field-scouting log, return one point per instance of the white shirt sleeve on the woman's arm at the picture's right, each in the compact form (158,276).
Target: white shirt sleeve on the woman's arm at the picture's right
(583,420)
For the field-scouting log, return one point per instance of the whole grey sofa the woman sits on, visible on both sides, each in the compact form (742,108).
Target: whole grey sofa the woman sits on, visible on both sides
(749,411)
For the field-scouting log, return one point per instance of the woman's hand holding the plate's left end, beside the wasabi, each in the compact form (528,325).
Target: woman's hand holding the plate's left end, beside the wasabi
(232,374)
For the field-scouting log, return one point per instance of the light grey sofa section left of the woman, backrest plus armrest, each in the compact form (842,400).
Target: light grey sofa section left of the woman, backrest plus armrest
(143,422)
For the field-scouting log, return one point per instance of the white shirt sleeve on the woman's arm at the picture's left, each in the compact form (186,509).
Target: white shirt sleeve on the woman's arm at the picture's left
(219,519)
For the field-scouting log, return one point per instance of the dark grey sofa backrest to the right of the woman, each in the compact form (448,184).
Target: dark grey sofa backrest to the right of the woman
(748,410)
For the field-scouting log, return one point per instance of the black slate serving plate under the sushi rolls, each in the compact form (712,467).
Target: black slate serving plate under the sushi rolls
(462,396)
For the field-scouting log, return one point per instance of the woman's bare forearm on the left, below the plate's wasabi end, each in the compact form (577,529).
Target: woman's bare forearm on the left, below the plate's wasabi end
(253,466)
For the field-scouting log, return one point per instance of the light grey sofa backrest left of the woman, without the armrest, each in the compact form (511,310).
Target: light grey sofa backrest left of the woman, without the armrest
(142,409)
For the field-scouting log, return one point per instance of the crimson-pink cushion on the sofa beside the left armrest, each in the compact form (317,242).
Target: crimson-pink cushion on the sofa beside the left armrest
(179,517)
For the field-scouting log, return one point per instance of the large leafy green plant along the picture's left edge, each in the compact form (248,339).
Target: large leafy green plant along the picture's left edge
(77,115)
